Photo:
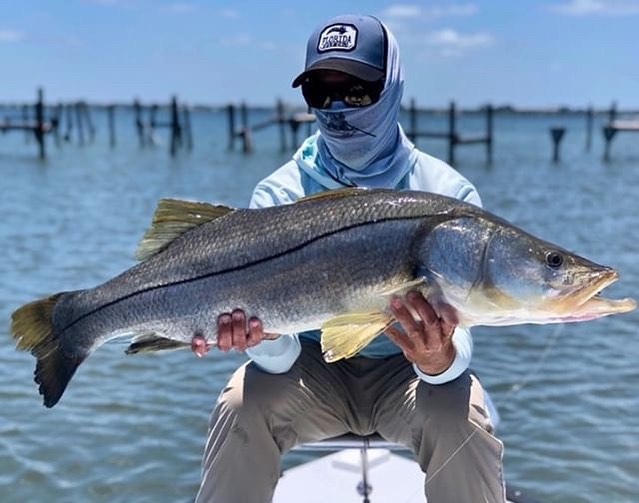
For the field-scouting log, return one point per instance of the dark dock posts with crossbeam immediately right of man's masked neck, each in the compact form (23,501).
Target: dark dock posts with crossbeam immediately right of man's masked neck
(451,135)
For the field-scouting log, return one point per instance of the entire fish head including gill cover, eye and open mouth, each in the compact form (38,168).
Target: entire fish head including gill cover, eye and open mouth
(493,273)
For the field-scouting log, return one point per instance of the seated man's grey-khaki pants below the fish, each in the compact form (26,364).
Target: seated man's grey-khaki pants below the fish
(259,416)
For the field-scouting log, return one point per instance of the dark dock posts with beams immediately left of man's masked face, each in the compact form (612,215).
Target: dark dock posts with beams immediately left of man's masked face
(282,118)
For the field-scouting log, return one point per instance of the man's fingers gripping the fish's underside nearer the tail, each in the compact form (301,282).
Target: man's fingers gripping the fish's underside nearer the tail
(233,332)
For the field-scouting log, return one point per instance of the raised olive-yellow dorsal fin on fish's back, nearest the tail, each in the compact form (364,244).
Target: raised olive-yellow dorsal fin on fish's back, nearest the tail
(172,218)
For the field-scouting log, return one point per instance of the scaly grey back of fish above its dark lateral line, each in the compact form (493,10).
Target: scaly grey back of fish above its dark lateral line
(248,238)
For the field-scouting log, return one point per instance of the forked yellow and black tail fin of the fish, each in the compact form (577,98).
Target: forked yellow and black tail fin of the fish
(32,328)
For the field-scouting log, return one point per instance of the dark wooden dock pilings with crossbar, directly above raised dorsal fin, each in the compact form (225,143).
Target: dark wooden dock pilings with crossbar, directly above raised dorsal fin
(178,123)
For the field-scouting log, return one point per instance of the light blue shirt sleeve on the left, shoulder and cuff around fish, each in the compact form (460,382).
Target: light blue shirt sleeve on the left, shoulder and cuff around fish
(274,356)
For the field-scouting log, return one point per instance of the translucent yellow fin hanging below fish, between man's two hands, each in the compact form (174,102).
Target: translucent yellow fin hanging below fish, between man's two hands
(345,335)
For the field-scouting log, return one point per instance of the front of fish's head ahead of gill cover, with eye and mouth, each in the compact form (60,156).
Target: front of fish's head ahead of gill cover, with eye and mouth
(533,281)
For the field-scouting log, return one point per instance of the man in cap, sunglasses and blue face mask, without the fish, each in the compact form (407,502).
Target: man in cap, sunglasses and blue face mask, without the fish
(411,385)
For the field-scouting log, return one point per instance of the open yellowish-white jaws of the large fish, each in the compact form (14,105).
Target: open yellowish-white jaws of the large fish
(586,302)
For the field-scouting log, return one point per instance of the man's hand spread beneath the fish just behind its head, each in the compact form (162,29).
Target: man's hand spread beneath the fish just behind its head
(427,342)
